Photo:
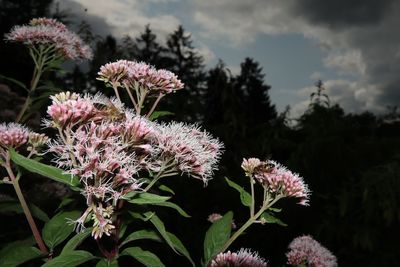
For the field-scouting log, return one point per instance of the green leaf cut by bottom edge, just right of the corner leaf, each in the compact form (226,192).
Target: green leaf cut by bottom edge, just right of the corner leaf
(70,259)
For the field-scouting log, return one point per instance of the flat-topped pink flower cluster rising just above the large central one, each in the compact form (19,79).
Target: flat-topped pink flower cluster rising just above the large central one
(139,74)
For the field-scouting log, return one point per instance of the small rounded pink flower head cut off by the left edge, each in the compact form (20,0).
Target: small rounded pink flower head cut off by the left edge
(13,135)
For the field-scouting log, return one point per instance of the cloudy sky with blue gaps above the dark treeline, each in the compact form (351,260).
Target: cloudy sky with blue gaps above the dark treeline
(353,46)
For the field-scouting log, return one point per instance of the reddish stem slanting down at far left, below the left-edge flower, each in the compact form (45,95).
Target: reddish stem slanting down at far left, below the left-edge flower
(25,208)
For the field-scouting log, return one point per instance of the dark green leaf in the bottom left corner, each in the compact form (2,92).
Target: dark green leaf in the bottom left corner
(18,252)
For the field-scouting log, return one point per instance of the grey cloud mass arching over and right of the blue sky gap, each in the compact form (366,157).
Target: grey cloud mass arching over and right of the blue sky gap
(359,38)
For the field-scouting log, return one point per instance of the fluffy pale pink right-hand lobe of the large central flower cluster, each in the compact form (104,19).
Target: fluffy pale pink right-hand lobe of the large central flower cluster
(195,152)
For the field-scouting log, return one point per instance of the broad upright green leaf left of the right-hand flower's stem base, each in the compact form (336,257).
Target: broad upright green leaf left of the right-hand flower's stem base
(216,236)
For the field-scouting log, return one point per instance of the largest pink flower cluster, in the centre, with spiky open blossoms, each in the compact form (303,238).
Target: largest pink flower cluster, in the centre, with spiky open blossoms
(107,146)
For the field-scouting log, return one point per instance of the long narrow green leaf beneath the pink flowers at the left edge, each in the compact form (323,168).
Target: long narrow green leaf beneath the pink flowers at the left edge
(43,169)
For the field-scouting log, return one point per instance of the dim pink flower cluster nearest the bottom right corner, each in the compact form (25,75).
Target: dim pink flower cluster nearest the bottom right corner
(305,250)
